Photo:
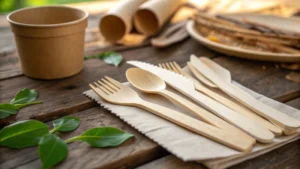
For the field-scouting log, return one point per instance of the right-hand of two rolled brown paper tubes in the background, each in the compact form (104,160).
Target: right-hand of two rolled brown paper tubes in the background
(152,15)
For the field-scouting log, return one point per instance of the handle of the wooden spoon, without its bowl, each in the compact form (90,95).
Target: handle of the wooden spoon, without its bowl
(203,114)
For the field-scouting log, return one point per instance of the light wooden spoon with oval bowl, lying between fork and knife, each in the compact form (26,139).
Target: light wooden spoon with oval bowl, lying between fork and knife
(149,83)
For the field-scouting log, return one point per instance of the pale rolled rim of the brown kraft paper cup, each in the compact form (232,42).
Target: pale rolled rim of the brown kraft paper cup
(47,25)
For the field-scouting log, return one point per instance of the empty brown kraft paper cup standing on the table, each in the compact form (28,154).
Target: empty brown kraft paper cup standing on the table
(50,40)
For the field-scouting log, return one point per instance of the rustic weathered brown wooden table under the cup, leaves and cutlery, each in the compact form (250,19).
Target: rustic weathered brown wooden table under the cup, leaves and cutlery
(64,97)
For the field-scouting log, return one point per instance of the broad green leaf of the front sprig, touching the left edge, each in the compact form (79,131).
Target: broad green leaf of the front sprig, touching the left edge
(23,134)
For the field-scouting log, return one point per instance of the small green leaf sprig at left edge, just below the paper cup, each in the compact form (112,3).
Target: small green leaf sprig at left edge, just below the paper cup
(22,99)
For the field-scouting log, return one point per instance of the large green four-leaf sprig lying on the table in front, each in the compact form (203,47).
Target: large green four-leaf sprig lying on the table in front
(51,148)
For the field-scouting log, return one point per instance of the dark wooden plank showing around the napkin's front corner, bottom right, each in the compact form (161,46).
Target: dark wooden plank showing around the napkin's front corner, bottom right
(283,157)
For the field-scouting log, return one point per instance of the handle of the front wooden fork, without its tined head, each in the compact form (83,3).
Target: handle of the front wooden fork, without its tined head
(221,136)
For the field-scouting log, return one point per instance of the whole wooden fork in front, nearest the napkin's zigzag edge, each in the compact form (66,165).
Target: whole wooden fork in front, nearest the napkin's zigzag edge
(115,92)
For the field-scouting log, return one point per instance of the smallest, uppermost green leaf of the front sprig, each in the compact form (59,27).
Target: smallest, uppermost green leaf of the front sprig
(67,123)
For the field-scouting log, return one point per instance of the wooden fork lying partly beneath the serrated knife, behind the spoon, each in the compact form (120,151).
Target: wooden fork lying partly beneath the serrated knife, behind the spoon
(173,66)
